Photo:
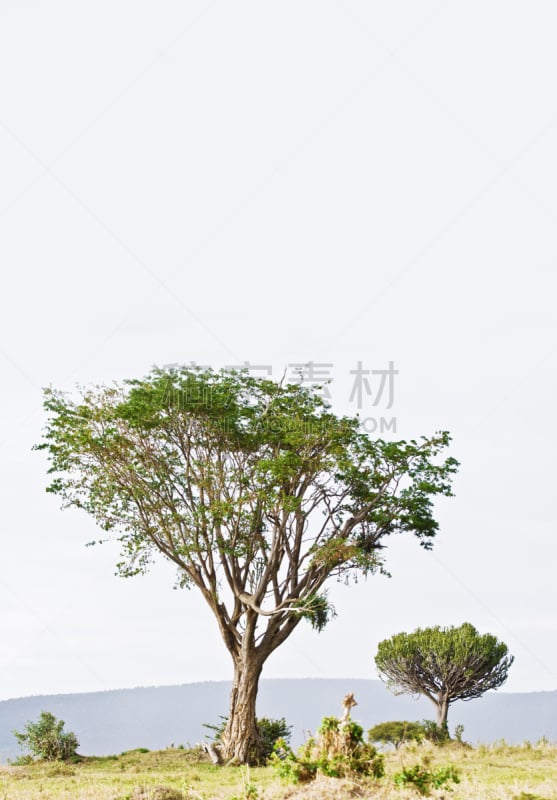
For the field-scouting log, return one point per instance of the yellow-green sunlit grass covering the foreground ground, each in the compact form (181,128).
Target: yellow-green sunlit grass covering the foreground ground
(495,772)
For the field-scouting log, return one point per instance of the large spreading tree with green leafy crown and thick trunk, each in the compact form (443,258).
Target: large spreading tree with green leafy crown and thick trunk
(255,490)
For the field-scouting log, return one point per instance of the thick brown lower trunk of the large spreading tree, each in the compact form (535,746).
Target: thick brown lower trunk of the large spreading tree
(241,741)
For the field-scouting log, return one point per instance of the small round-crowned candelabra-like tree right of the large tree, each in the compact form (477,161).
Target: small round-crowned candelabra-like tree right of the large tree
(443,664)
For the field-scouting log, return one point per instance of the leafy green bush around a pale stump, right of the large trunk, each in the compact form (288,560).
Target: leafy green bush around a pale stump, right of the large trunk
(339,751)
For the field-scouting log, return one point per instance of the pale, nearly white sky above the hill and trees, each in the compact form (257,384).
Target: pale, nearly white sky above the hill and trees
(335,182)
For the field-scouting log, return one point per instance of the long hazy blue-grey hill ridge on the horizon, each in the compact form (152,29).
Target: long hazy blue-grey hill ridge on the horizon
(156,717)
